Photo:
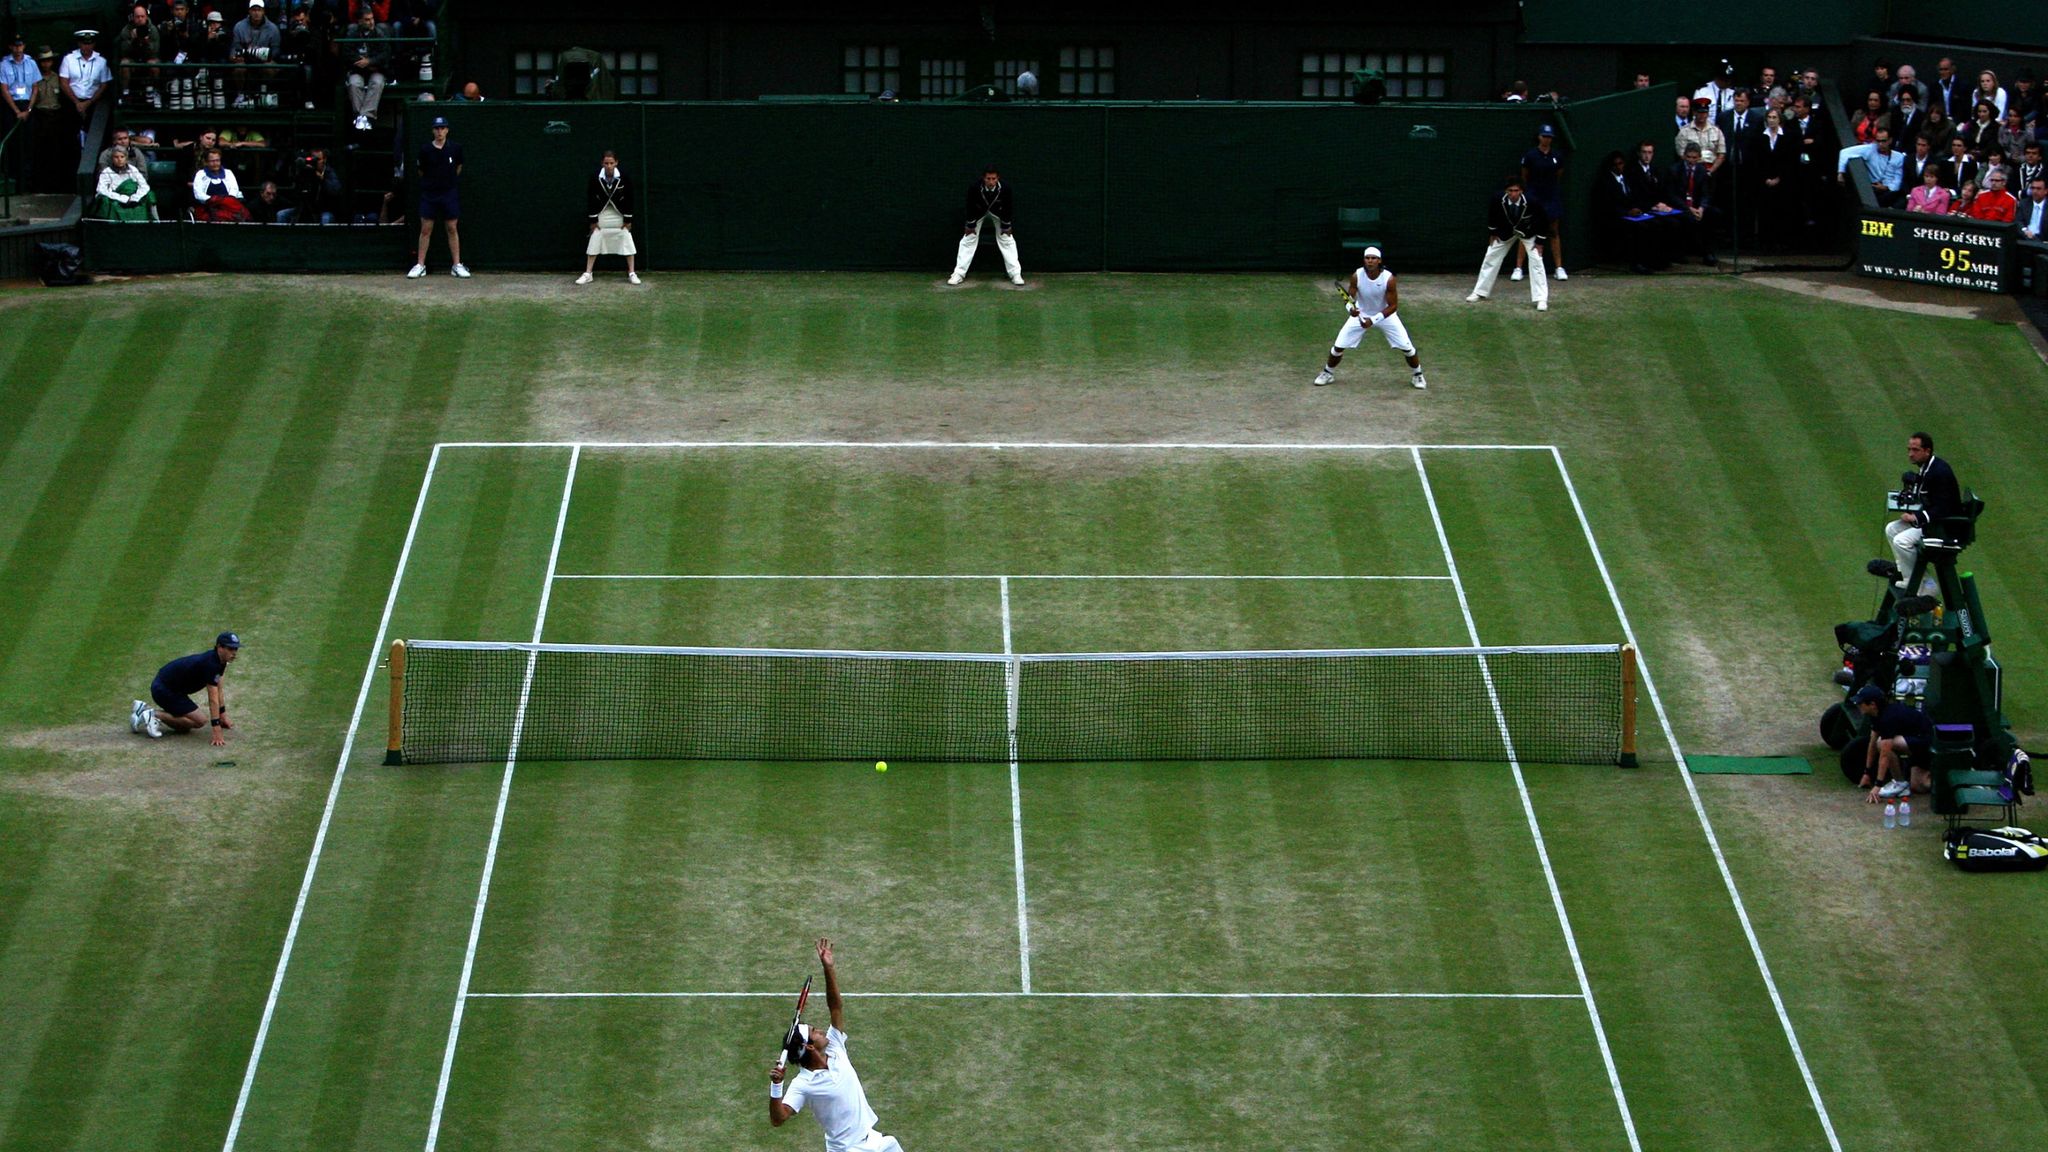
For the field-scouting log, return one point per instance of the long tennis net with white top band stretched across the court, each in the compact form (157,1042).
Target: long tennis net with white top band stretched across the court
(456,702)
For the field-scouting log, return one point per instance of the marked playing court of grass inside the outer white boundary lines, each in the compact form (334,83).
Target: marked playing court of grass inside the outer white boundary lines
(1308,954)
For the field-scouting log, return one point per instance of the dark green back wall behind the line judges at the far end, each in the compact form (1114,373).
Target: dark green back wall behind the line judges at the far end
(1140,188)
